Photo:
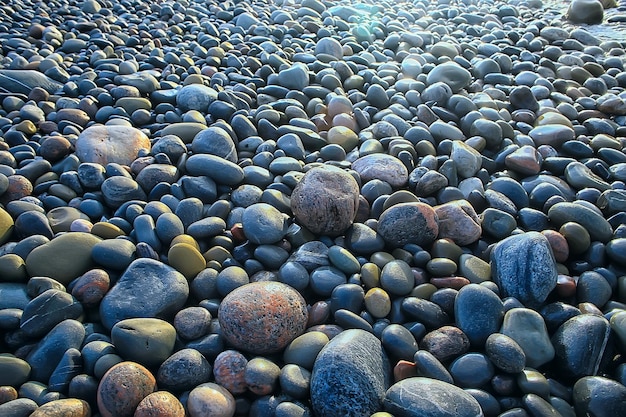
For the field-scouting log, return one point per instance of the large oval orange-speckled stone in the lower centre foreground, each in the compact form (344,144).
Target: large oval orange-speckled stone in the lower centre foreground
(262,317)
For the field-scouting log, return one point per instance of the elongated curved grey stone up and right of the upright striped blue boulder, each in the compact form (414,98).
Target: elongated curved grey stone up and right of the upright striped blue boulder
(594,223)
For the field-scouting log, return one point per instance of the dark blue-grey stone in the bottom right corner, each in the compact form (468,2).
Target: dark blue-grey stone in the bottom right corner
(596,395)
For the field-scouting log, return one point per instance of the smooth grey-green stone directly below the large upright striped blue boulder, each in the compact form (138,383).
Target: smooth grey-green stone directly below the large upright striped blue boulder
(528,329)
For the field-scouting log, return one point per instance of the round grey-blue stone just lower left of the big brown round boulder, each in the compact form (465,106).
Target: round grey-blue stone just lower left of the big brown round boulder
(263,224)
